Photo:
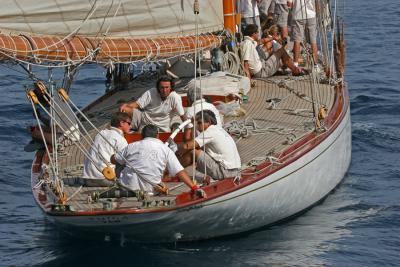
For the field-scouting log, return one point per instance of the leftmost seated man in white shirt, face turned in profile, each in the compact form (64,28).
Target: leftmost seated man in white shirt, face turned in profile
(105,144)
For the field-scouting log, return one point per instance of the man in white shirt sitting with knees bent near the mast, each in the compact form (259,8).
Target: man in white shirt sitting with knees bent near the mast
(257,67)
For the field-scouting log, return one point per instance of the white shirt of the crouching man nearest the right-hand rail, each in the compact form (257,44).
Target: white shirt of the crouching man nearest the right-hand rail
(220,146)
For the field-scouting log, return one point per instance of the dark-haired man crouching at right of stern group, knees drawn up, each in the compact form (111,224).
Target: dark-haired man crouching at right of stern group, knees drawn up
(220,159)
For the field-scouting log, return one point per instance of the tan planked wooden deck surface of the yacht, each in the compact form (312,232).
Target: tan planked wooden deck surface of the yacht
(279,112)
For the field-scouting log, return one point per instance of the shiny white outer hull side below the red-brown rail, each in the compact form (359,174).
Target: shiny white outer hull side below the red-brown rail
(291,189)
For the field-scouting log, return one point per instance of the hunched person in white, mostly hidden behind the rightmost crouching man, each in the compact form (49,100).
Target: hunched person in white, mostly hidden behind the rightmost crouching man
(197,103)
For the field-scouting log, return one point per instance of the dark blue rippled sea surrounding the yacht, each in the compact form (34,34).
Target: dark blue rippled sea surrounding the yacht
(358,224)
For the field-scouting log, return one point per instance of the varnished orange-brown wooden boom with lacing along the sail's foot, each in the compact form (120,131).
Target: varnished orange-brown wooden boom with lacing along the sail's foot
(52,48)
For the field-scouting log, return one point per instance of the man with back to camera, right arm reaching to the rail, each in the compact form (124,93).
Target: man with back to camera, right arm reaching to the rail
(149,158)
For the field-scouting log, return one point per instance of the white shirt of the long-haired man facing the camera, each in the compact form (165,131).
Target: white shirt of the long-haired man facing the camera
(157,111)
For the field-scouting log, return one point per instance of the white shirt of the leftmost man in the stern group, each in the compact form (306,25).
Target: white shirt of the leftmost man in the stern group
(102,151)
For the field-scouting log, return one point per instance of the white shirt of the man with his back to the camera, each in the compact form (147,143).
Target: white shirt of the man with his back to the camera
(149,157)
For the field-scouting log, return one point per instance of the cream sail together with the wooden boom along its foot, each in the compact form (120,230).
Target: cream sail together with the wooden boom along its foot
(105,30)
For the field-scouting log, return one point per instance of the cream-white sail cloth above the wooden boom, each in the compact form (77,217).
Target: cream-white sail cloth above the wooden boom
(118,18)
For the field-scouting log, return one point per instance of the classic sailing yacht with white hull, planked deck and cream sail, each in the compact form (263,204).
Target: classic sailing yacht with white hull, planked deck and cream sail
(293,133)
